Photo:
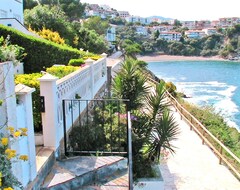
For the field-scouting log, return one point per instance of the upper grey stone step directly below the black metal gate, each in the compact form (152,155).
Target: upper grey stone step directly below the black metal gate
(77,172)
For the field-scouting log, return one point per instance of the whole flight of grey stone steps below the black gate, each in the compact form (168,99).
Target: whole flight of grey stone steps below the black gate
(88,173)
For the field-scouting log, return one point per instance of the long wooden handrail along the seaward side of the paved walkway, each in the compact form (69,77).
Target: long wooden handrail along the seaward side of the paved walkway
(186,115)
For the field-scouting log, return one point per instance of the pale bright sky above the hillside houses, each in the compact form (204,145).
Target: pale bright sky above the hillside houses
(176,9)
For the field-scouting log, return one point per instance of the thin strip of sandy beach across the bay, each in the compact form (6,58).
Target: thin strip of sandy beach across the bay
(153,58)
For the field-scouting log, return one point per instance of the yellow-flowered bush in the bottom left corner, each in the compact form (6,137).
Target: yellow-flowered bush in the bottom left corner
(7,156)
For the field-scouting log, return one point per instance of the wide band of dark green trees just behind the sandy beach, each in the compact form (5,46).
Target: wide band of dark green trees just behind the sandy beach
(224,43)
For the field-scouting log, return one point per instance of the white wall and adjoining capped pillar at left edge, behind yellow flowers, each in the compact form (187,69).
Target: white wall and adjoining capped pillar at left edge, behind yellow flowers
(18,116)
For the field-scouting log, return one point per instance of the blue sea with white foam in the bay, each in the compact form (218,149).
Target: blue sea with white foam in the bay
(215,83)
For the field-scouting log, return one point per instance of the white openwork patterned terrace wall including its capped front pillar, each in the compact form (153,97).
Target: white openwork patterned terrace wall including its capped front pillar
(85,82)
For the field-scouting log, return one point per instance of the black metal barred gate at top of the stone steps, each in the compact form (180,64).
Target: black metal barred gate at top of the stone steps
(95,127)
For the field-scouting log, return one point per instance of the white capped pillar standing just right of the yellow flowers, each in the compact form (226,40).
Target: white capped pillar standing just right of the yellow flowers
(25,97)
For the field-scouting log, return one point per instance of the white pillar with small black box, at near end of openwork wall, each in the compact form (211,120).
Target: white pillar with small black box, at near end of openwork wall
(48,90)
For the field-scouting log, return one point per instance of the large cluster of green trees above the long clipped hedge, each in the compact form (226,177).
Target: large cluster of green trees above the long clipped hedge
(65,16)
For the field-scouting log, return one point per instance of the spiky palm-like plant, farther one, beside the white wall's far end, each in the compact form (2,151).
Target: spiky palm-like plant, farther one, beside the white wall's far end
(130,83)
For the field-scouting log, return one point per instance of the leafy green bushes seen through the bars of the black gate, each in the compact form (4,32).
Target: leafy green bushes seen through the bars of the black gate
(106,131)
